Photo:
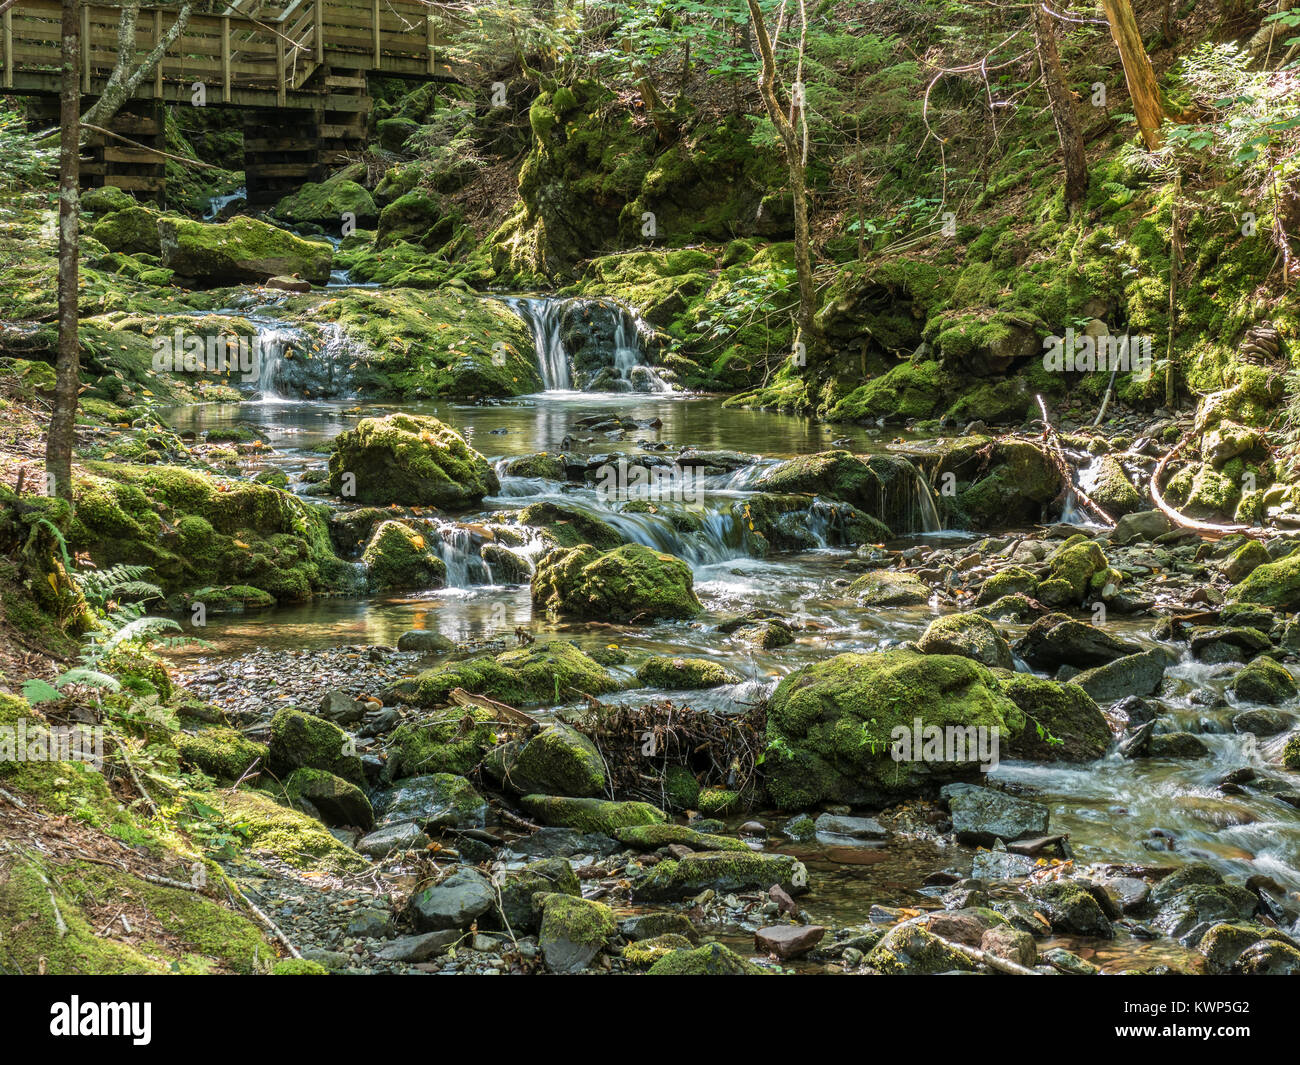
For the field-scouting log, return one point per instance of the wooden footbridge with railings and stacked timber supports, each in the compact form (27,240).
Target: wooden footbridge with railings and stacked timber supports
(297,68)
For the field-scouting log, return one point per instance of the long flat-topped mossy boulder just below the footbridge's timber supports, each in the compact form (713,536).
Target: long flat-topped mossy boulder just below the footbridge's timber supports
(240,250)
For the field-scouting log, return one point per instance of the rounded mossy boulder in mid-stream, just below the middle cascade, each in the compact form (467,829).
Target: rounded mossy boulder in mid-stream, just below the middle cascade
(630,583)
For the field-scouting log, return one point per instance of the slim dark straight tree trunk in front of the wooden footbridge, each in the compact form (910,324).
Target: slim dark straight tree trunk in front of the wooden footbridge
(59,441)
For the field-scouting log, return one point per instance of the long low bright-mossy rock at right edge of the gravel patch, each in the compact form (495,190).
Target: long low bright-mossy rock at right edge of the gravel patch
(538,674)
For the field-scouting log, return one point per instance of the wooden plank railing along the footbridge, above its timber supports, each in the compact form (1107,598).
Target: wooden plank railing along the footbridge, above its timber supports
(231,53)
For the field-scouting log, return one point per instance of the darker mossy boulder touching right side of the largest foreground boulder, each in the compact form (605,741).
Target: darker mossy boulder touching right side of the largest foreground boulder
(1063,722)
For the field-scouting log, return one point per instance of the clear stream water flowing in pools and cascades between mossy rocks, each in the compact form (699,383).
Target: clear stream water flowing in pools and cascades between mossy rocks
(1115,811)
